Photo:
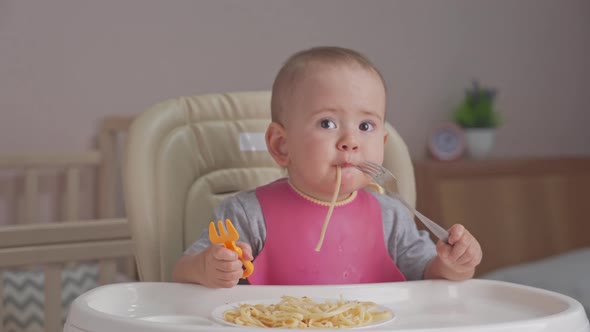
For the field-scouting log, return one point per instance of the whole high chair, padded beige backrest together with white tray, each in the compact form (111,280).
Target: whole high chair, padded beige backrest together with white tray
(185,155)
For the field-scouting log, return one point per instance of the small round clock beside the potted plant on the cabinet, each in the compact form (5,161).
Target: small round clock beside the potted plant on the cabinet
(447,142)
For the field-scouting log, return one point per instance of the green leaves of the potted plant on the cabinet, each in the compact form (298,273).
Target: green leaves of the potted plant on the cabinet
(477,108)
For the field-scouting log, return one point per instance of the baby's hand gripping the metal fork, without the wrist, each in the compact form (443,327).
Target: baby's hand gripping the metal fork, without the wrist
(462,254)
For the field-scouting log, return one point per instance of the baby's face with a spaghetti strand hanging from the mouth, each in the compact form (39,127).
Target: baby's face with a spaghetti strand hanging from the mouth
(334,117)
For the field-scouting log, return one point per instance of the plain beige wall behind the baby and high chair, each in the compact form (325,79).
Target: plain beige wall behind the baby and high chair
(64,64)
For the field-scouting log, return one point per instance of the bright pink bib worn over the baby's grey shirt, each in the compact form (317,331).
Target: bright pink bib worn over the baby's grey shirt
(353,250)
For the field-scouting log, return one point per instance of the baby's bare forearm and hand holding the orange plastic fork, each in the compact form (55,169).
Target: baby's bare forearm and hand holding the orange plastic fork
(214,267)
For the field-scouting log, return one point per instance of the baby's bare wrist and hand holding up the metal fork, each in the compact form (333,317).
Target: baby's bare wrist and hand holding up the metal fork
(457,259)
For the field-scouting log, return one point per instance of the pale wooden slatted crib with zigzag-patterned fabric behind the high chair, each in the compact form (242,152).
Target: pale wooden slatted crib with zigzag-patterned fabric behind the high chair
(62,231)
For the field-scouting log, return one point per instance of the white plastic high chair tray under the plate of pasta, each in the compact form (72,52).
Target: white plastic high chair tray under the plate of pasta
(473,305)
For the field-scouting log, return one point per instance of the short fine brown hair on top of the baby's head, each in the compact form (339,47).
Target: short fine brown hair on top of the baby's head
(297,63)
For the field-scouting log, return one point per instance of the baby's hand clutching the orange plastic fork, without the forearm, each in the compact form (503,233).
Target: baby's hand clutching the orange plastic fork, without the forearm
(223,268)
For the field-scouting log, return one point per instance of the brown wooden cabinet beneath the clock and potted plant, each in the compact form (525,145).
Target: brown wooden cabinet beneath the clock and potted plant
(519,210)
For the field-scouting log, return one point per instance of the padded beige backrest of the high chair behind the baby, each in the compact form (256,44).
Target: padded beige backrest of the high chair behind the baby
(186,154)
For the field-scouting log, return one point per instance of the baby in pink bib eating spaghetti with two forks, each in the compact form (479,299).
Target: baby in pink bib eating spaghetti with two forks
(328,114)
